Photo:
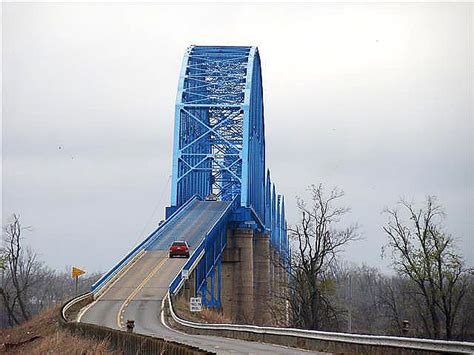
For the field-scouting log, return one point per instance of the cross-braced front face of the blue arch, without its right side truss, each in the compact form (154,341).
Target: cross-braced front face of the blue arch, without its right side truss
(210,152)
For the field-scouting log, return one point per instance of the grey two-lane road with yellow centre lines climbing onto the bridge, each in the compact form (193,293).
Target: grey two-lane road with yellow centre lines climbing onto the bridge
(138,293)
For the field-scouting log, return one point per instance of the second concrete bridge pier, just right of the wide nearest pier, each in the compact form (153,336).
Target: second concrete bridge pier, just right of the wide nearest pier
(262,279)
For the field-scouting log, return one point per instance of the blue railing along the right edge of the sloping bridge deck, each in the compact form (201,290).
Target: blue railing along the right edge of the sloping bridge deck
(199,252)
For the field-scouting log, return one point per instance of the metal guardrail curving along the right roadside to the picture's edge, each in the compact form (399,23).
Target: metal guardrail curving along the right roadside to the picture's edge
(324,341)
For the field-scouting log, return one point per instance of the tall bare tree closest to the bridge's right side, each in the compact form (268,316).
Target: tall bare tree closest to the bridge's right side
(319,240)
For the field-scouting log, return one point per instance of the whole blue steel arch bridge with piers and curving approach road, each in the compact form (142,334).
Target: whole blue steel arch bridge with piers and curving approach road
(225,205)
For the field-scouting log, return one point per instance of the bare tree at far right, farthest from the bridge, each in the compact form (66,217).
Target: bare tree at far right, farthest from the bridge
(424,253)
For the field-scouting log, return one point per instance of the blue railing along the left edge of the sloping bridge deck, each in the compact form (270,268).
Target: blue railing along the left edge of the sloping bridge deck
(141,246)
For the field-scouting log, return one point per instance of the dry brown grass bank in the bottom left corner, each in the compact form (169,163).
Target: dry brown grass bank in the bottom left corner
(42,335)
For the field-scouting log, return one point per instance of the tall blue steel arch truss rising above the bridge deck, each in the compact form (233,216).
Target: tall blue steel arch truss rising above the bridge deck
(219,144)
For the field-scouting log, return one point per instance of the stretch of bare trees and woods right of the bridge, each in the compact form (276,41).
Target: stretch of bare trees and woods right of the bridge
(429,294)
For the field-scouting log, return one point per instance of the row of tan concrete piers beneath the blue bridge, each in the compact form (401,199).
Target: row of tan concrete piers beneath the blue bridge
(253,279)
